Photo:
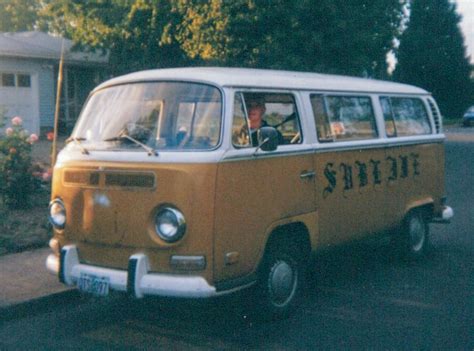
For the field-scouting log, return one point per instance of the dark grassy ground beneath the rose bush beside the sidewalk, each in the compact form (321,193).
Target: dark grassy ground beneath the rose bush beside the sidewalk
(27,228)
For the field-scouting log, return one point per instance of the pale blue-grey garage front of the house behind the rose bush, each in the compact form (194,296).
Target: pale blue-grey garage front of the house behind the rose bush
(34,104)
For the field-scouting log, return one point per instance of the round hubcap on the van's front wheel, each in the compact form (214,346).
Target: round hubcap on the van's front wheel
(282,283)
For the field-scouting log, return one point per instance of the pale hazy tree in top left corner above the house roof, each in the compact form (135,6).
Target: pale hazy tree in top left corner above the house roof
(18,15)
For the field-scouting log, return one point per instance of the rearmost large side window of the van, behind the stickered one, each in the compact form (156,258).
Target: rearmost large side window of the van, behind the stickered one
(405,116)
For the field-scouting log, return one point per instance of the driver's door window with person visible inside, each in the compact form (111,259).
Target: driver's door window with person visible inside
(255,110)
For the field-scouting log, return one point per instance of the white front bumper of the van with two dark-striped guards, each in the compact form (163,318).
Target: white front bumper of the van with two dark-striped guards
(136,281)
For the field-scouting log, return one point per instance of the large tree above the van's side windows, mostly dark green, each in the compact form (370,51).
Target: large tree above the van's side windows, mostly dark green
(349,37)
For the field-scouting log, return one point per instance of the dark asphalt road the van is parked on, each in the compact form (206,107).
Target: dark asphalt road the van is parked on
(358,298)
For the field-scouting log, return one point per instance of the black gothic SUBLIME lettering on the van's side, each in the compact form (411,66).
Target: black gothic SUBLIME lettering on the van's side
(395,168)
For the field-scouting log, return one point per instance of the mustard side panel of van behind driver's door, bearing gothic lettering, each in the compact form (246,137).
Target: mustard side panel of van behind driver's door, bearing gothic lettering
(366,191)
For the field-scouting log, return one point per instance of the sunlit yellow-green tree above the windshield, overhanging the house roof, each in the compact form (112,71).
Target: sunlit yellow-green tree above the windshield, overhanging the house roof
(132,30)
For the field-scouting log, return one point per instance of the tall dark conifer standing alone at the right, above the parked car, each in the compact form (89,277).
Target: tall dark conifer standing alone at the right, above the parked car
(432,55)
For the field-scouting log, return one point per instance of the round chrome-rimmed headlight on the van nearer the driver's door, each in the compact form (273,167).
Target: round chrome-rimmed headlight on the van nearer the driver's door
(170,224)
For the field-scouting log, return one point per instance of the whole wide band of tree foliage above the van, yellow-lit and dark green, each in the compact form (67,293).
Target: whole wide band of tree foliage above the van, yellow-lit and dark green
(340,36)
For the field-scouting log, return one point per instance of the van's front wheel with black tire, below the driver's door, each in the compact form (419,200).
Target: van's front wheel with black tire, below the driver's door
(280,282)
